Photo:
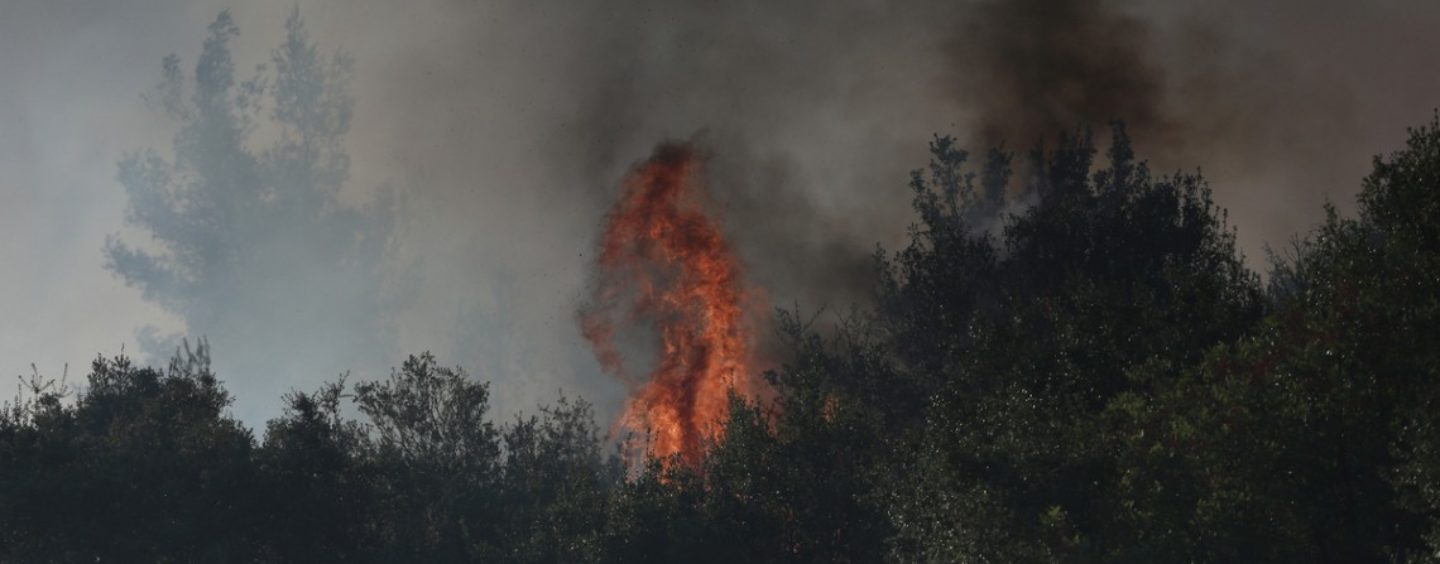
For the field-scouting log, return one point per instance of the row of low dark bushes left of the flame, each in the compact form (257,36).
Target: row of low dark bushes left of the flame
(145,465)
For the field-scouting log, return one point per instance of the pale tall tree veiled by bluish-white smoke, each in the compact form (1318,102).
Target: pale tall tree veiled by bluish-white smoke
(256,247)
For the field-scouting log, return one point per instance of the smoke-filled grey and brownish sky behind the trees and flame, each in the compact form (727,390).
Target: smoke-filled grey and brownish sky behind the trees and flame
(506,127)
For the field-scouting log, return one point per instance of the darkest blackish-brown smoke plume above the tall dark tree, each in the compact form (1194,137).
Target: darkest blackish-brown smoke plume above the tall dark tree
(1036,68)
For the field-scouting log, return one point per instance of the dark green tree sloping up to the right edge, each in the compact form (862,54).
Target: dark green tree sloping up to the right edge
(1313,438)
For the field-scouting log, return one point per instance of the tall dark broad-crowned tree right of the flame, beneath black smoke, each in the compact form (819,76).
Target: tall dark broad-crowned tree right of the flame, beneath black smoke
(996,359)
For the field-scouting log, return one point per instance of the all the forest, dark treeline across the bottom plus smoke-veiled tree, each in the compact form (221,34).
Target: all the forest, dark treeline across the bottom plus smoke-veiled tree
(1097,376)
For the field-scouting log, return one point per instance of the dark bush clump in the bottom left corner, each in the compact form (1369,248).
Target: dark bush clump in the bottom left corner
(142,467)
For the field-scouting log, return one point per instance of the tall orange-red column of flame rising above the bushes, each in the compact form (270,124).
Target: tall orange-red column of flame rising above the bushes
(665,264)
